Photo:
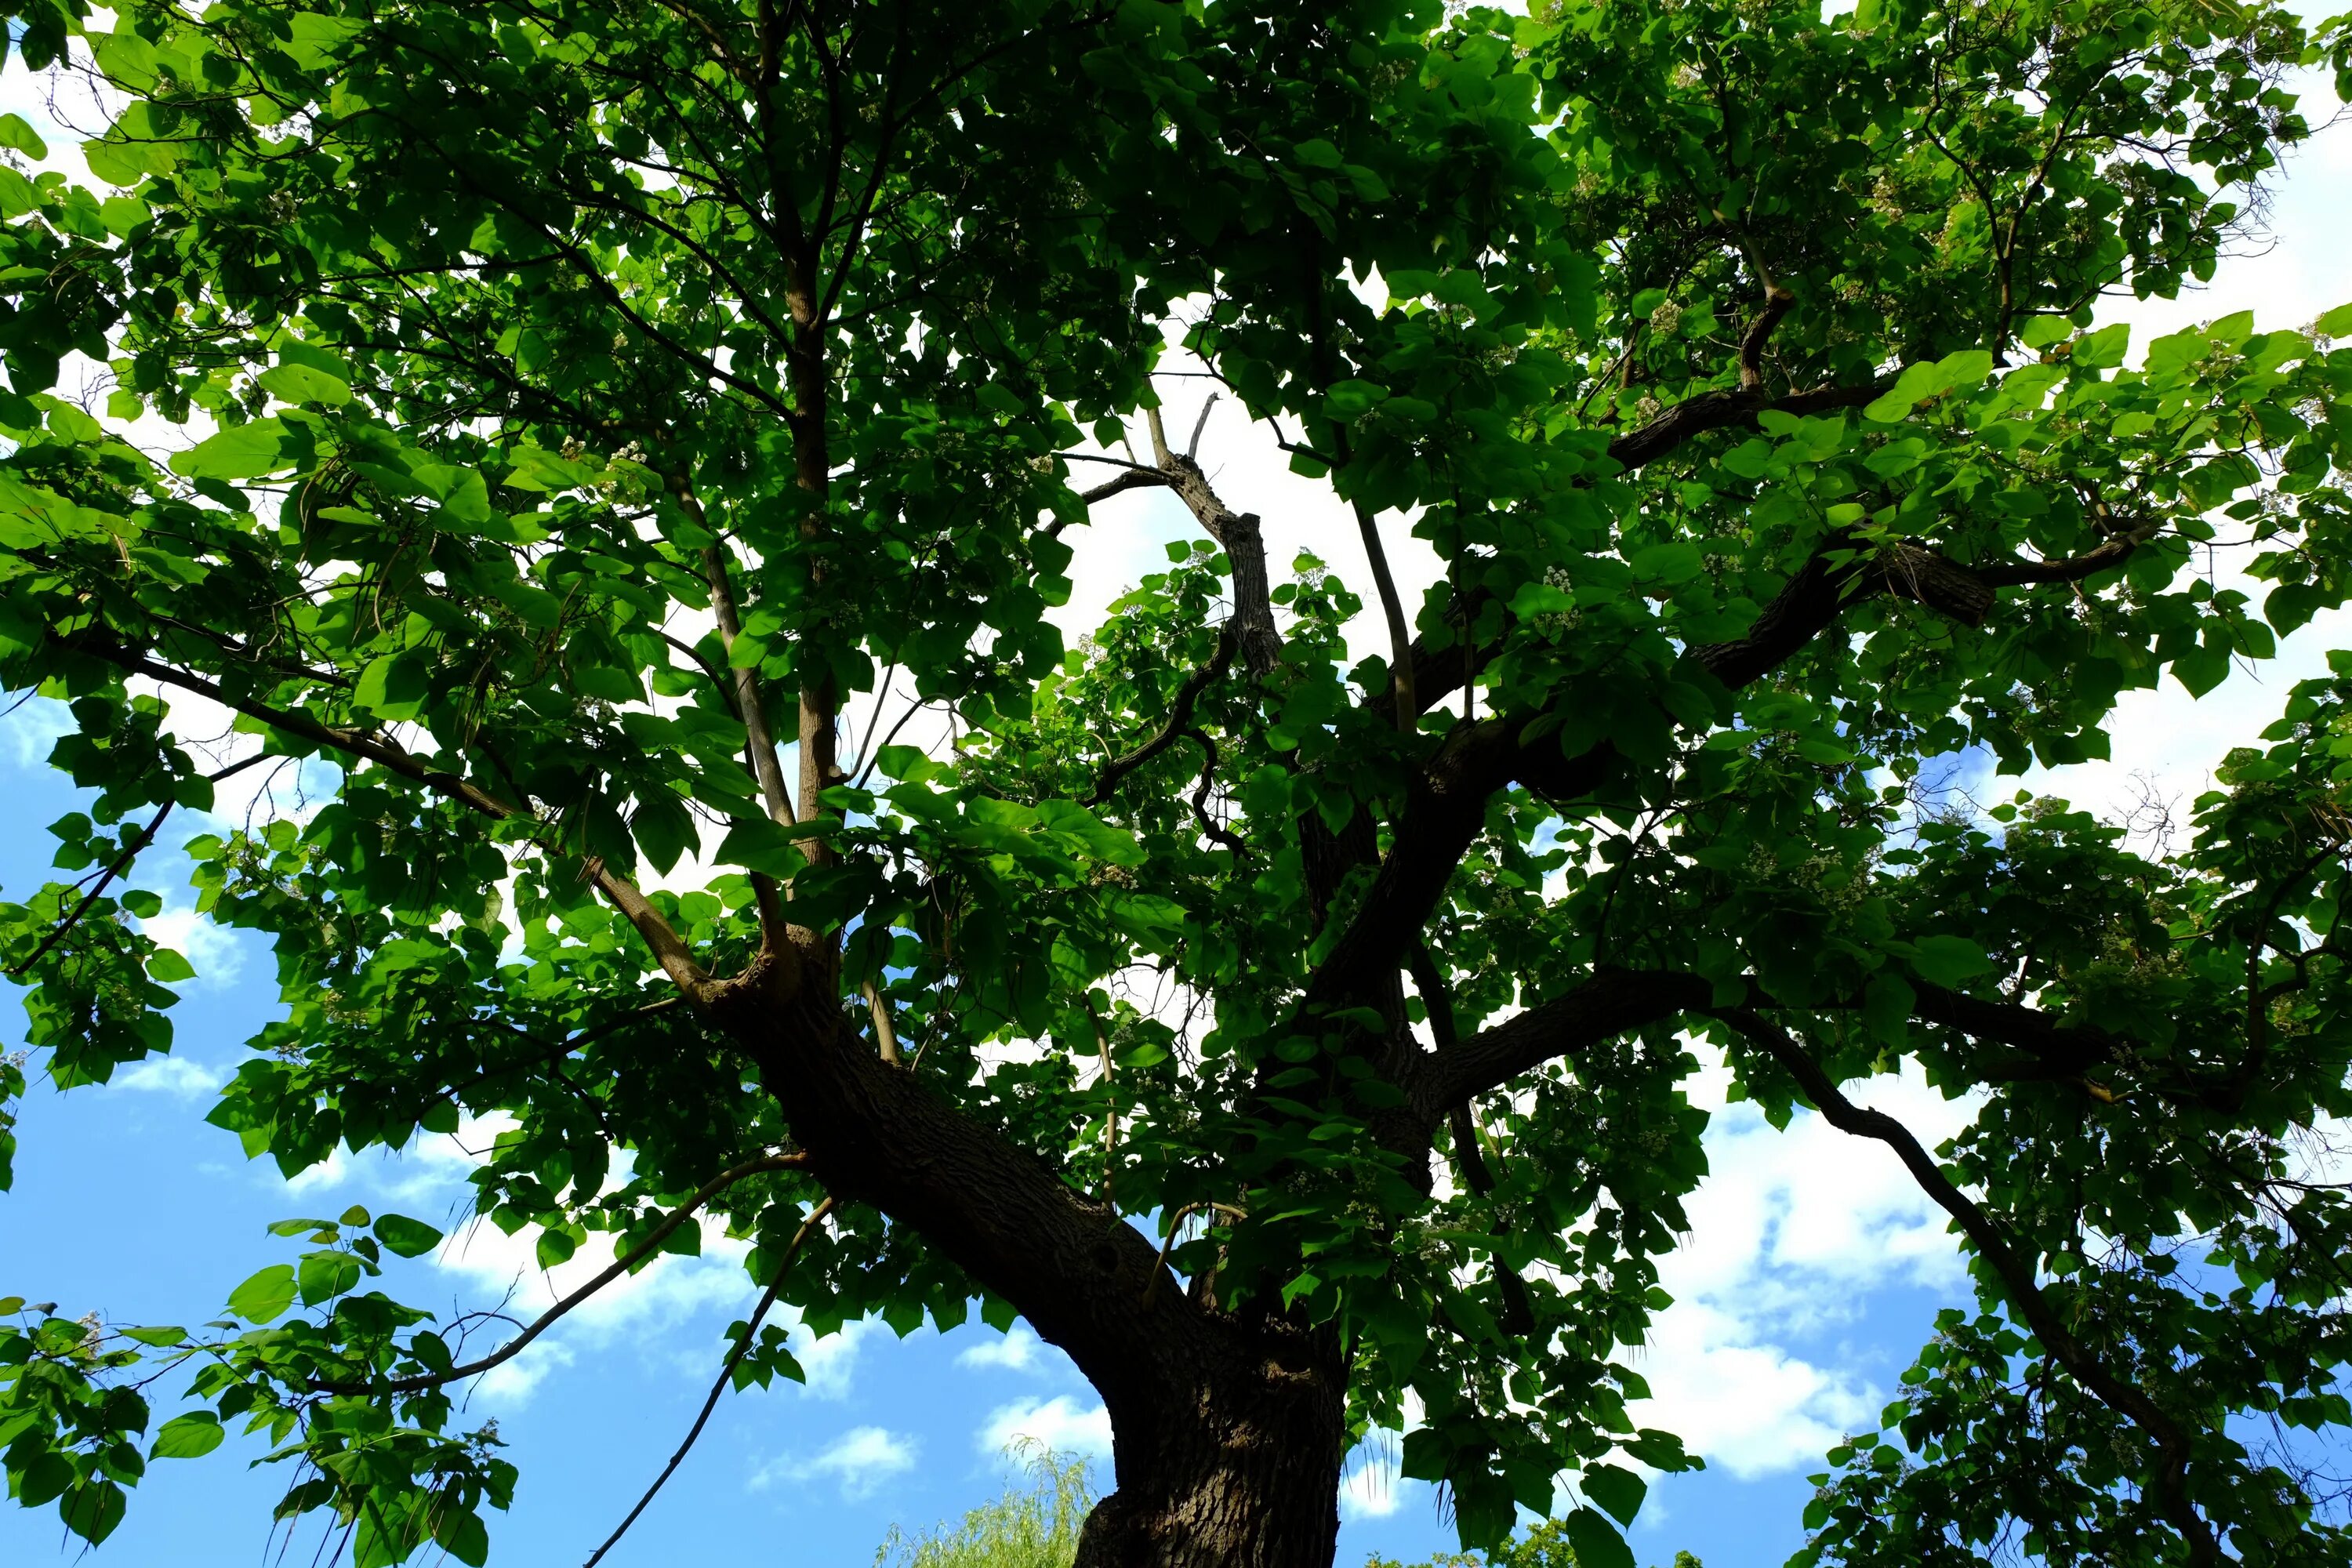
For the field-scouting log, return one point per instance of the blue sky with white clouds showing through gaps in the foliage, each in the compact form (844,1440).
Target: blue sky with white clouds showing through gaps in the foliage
(1810,1278)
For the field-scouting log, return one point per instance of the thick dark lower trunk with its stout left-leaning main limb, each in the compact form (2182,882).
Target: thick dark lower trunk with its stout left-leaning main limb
(1229,1430)
